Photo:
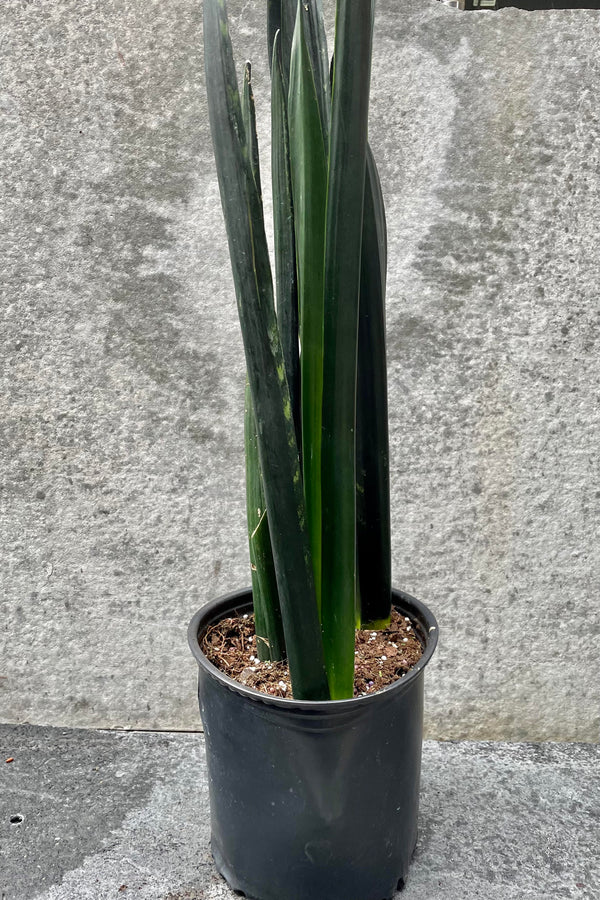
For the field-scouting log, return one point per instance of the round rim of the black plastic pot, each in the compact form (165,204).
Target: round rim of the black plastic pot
(217,609)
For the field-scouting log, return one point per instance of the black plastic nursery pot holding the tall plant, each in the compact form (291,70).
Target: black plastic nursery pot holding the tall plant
(312,800)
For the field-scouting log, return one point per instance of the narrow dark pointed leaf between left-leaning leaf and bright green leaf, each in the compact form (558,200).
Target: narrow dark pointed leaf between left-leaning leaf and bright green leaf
(285,240)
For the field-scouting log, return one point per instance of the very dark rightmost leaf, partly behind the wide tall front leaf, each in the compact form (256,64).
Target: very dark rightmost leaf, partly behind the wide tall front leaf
(373,542)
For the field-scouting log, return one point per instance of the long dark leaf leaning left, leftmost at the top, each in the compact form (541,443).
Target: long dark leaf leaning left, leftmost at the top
(277,448)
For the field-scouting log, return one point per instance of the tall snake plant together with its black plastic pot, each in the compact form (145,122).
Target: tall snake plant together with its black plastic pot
(315,796)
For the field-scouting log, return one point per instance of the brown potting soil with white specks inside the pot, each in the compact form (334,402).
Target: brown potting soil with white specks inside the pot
(381,657)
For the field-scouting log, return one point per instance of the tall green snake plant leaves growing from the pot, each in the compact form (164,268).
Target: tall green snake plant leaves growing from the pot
(314,338)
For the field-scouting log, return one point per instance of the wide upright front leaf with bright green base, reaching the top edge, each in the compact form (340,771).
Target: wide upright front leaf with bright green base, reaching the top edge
(347,155)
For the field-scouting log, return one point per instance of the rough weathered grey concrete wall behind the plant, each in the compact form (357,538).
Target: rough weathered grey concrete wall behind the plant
(122,378)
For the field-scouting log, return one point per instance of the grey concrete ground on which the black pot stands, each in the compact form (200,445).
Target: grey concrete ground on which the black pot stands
(93,815)
